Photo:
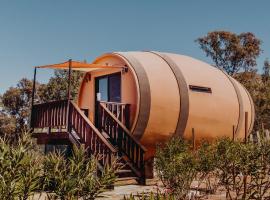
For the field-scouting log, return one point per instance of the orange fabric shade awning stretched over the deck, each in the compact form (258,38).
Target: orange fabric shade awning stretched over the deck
(80,66)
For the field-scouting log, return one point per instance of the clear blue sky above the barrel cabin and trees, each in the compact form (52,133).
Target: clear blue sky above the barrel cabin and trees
(36,32)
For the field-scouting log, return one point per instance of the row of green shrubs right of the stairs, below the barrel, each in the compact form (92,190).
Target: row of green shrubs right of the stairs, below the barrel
(243,170)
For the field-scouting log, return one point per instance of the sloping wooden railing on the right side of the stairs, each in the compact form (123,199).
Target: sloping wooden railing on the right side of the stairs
(122,137)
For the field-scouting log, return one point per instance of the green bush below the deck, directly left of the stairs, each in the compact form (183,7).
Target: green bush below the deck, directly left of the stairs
(75,177)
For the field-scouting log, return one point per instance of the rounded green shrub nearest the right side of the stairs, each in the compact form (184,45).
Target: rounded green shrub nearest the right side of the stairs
(176,167)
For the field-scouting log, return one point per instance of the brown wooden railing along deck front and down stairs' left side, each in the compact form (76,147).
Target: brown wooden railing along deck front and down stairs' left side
(66,114)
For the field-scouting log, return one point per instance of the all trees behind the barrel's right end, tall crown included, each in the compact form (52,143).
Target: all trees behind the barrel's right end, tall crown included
(237,54)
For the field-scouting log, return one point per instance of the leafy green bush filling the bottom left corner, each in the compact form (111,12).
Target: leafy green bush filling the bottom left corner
(20,169)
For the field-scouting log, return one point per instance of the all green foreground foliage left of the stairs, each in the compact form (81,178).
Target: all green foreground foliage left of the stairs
(25,172)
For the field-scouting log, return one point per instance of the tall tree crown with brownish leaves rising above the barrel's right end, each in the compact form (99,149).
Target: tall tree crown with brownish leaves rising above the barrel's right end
(231,52)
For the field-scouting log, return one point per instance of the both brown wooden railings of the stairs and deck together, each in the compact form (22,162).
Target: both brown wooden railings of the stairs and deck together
(66,115)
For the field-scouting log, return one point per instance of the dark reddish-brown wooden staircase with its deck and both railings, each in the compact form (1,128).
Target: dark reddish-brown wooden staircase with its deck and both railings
(67,124)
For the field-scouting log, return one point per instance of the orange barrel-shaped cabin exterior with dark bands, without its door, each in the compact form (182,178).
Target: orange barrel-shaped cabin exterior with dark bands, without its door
(172,94)
